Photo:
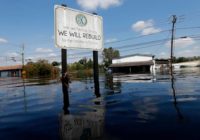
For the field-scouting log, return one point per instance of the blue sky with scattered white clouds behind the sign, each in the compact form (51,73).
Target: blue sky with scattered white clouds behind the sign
(31,22)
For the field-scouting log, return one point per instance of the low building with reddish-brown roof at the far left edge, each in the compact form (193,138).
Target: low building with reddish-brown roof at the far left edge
(11,71)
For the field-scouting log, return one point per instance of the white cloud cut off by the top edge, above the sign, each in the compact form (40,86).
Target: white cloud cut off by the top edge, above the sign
(92,5)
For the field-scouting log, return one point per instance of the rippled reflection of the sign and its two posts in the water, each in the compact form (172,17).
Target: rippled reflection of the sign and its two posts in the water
(81,126)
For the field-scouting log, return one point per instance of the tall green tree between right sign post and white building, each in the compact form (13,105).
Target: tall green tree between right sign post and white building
(108,55)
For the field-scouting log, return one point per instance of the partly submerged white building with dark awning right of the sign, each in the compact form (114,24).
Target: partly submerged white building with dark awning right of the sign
(136,63)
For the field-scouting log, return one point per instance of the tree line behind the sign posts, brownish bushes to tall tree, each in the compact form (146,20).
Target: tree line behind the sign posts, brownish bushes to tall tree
(82,67)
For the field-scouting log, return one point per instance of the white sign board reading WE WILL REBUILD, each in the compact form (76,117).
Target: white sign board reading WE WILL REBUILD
(77,29)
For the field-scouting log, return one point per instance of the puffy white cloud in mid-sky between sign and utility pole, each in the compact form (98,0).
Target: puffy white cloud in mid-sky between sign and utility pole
(145,27)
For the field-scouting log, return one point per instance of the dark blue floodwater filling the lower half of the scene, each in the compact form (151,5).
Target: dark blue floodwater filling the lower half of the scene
(142,106)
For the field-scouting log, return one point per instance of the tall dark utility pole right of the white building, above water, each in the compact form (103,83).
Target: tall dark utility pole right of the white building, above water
(172,39)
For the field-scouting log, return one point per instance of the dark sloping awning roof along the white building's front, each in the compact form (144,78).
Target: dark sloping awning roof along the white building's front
(129,64)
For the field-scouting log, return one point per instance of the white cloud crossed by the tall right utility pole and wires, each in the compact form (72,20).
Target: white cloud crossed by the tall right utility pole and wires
(182,42)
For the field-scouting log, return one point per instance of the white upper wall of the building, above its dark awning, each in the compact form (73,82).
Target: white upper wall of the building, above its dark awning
(132,59)
